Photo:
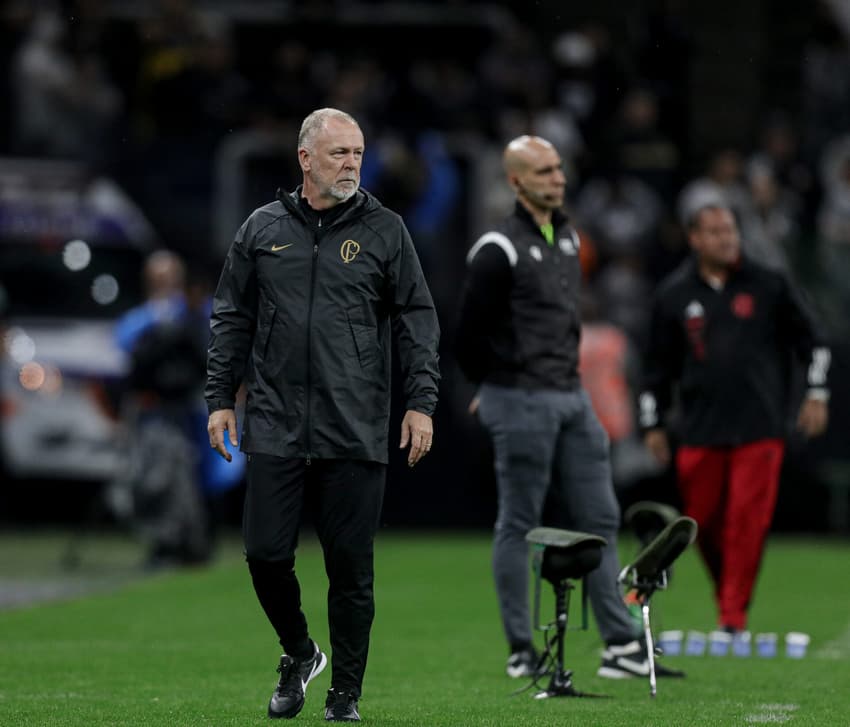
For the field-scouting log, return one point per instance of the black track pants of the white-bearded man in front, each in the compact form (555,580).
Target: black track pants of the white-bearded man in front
(344,498)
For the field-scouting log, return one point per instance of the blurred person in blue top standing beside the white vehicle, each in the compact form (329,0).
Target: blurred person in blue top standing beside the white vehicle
(171,476)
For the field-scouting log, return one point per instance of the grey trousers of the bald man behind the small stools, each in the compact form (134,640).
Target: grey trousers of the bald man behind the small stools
(549,448)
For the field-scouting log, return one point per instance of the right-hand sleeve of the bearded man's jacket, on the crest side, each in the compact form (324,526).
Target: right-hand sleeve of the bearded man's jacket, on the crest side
(416,328)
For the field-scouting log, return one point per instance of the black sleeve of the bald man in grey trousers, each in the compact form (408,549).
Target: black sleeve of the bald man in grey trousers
(486,293)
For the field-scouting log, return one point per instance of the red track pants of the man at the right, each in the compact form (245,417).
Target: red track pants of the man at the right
(731,493)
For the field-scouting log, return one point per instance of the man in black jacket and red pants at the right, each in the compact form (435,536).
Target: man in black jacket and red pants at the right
(726,330)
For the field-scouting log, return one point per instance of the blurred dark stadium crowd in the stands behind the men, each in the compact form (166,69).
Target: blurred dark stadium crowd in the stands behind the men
(192,109)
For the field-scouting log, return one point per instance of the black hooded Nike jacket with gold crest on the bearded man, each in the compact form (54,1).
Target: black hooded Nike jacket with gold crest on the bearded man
(304,311)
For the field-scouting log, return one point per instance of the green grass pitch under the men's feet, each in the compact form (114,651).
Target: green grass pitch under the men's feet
(193,647)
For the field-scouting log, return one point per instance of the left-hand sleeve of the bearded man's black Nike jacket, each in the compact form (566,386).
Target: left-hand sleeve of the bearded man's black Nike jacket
(232,323)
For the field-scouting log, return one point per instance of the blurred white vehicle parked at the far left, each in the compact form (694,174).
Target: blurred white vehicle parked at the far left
(71,251)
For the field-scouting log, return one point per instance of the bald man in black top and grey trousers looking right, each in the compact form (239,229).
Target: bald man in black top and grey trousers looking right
(517,339)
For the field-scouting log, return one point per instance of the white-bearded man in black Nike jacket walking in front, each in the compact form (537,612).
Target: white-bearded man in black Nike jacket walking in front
(315,286)
